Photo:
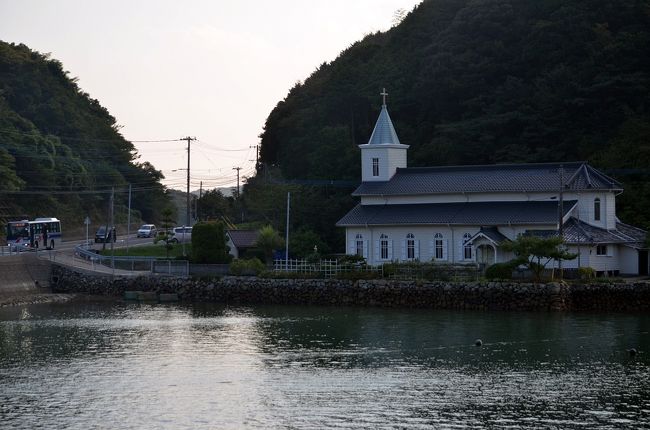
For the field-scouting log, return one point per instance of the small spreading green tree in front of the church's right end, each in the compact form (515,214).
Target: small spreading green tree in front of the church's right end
(536,252)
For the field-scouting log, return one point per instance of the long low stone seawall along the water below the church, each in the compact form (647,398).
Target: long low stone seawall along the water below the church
(439,295)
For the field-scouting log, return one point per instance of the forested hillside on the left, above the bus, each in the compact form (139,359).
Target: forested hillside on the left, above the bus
(60,151)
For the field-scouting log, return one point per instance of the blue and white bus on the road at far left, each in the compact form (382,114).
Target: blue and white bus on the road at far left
(39,233)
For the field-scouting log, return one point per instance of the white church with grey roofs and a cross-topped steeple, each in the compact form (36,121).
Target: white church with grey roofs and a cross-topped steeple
(462,214)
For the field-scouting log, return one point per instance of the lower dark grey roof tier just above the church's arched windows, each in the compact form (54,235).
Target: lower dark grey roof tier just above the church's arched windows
(472,213)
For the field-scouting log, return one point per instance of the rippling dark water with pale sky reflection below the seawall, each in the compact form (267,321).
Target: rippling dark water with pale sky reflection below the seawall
(153,366)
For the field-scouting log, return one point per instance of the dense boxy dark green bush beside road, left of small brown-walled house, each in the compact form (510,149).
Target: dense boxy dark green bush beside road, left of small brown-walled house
(209,243)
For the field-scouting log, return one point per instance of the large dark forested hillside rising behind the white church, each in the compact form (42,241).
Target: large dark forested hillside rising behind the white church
(484,81)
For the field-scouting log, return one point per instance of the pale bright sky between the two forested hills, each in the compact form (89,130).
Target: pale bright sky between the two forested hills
(213,70)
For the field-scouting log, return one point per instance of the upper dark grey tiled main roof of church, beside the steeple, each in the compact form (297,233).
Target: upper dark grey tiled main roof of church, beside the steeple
(542,177)
